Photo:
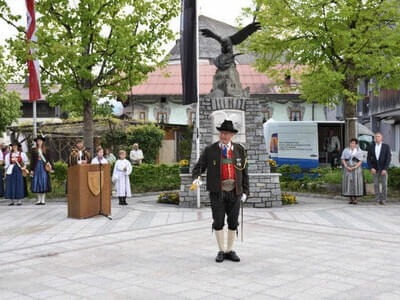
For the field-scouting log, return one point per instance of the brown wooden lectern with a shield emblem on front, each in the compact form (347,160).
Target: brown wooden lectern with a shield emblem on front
(84,190)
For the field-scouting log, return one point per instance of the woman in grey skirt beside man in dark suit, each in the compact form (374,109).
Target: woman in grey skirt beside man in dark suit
(352,173)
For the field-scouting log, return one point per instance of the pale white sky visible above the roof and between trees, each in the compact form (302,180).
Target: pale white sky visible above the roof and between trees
(223,10)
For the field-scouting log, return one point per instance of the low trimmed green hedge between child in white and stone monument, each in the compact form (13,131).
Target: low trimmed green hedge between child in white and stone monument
(147,178)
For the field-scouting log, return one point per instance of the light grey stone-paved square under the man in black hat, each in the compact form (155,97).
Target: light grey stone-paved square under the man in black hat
(318,249)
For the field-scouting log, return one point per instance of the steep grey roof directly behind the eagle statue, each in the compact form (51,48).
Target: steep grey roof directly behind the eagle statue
(210,48)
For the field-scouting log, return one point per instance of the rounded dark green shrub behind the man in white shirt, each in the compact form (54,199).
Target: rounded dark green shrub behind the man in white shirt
(149,137)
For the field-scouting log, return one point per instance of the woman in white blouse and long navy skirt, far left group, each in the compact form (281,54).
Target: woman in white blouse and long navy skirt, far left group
(15,165)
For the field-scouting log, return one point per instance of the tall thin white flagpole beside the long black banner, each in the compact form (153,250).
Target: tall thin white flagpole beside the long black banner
(198,97)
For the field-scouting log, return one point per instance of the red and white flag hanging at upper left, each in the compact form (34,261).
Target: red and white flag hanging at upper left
(35,92)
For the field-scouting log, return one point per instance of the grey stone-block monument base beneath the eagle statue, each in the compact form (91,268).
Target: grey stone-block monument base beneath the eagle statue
(264,186)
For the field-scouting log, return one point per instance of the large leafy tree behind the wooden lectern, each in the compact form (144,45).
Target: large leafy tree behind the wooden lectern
(96,48)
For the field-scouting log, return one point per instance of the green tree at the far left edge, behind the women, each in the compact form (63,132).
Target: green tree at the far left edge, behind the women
(10,102)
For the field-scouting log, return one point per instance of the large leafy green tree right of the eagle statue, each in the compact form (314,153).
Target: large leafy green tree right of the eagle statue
(330,45)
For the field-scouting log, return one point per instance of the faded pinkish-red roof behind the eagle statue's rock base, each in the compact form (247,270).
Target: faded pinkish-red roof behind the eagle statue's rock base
(168,81)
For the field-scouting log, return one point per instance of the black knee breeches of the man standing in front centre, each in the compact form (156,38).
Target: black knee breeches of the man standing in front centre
(225,203)
